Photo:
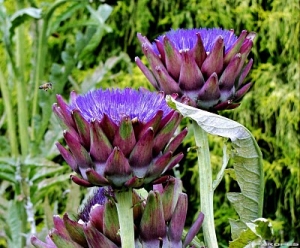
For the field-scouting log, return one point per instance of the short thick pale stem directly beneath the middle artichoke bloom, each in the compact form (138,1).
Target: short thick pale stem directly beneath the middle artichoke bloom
(125,214)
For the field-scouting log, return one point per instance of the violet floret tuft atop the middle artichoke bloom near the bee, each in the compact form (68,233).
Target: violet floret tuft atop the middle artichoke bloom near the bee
(116,103)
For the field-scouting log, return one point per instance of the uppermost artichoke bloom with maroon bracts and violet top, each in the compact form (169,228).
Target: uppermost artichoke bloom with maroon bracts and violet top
(204,68)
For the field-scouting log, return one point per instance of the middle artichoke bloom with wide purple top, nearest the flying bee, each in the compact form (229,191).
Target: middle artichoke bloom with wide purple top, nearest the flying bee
(119,137)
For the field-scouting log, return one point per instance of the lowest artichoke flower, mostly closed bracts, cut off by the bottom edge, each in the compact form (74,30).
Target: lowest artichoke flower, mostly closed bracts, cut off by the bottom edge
(159,221)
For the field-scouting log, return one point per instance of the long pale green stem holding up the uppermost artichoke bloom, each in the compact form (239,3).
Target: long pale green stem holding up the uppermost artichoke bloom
(206,189)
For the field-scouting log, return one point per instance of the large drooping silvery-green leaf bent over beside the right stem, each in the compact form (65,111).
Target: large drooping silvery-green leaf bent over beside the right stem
(247,161)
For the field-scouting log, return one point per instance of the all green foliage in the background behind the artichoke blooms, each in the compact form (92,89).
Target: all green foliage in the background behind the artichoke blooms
(88,45)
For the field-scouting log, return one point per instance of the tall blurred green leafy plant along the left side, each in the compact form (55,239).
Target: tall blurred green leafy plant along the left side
(29,171)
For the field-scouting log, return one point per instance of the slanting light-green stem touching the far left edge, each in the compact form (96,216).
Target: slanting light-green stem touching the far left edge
(11,122)
